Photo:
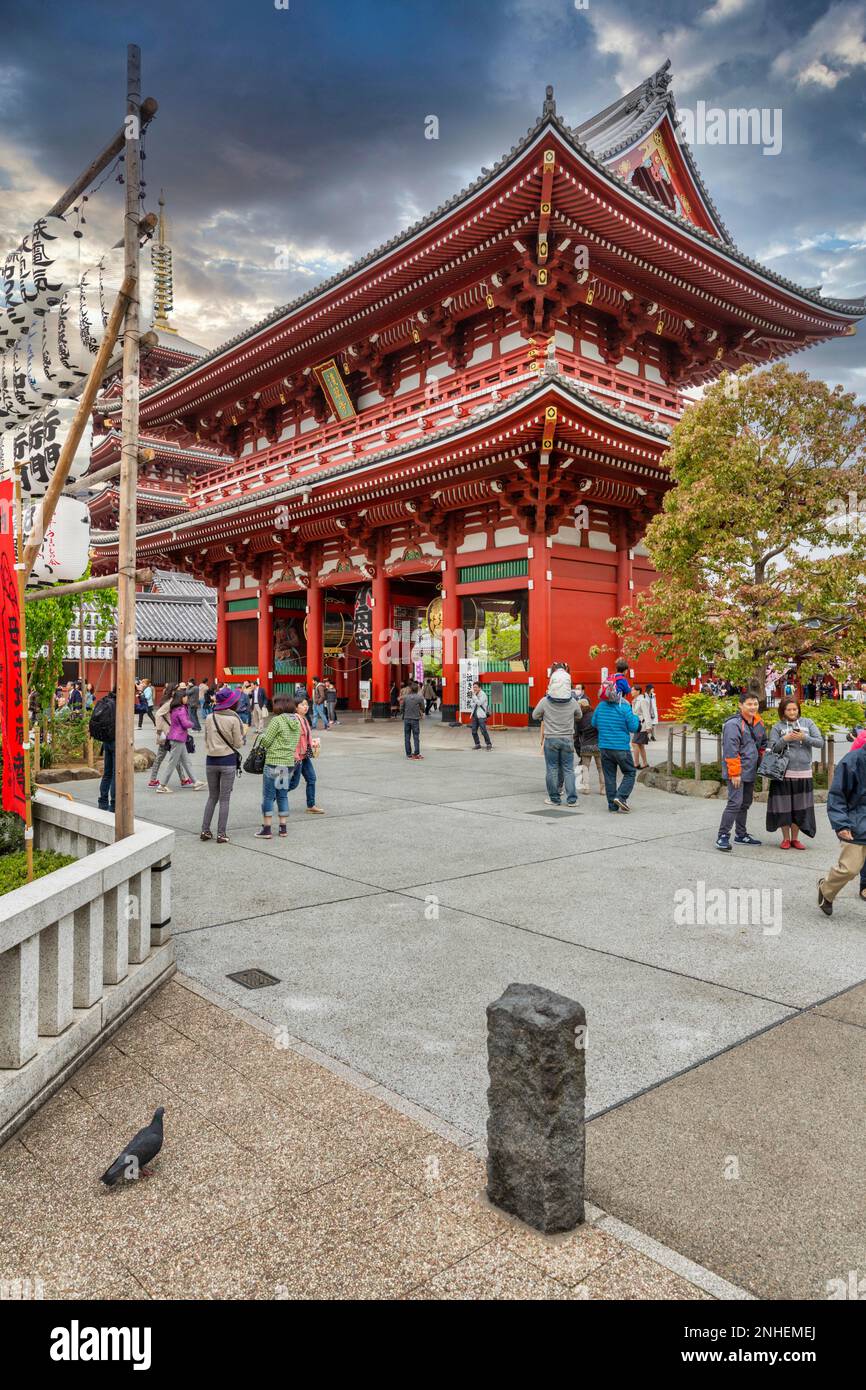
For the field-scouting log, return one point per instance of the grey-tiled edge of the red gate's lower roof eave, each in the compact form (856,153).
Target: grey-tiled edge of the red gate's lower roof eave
(551,383)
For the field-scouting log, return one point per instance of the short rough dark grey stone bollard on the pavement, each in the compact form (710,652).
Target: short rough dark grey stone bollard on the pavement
(536,1131)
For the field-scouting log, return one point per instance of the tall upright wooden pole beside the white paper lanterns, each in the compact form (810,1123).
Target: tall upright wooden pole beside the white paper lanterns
(124,746)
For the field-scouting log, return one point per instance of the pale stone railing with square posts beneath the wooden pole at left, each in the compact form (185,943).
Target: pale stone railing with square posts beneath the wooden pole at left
(80,949)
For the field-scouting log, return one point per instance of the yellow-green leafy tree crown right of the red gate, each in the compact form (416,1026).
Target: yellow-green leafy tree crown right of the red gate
(761,546)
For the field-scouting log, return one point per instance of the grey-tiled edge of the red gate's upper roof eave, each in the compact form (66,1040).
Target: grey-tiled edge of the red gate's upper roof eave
(548,123)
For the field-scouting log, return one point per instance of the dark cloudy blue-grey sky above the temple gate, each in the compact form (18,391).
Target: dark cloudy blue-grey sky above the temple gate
(291,141)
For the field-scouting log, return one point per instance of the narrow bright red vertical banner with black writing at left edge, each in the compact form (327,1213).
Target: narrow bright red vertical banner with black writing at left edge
(12,693)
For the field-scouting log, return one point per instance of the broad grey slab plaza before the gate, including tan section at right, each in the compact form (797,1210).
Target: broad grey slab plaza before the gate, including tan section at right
(726,1050)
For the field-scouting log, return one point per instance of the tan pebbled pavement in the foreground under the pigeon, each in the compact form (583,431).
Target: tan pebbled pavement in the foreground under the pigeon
(279,1179)
